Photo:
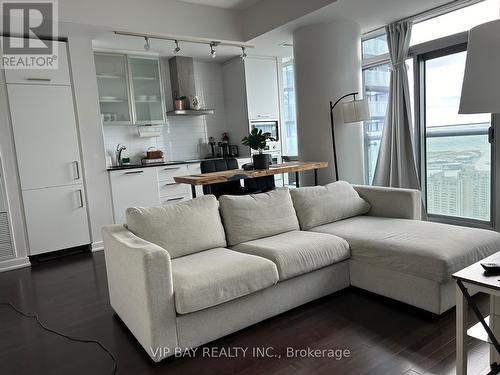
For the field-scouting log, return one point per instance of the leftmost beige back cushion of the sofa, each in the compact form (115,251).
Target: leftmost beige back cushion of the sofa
(181,229)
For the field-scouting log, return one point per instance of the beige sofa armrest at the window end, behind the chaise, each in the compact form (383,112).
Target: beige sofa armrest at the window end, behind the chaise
(392,202)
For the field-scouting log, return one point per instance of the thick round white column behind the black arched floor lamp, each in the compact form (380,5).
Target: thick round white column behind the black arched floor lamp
(327,58)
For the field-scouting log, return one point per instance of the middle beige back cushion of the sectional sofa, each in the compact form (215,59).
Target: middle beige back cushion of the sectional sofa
(249,217)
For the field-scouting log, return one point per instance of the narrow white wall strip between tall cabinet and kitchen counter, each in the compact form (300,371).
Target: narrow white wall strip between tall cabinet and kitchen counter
(92,144)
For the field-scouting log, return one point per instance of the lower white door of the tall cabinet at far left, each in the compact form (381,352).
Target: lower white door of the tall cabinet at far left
(56,218)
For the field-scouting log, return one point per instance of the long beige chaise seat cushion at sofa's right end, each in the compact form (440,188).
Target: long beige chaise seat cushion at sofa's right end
(429,250)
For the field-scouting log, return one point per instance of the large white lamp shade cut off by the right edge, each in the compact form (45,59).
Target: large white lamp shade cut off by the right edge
(481,85)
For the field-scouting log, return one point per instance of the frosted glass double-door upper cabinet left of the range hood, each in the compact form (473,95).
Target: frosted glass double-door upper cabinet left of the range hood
(130,90)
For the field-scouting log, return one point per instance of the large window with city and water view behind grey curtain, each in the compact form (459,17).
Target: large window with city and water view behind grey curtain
(452,150)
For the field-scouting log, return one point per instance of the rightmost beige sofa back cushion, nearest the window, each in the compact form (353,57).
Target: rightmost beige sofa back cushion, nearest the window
(318,205)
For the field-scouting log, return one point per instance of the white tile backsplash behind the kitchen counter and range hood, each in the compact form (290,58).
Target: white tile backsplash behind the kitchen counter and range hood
(183,138)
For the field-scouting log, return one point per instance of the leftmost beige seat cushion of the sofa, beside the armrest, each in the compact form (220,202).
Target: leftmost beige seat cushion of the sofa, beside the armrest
(215,276)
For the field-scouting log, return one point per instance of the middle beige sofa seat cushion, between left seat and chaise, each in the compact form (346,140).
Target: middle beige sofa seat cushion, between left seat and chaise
(298,252)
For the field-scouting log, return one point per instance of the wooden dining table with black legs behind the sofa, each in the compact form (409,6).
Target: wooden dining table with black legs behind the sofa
(239,174)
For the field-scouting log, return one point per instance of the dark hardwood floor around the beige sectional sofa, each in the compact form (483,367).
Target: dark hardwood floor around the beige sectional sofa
(70,295)
